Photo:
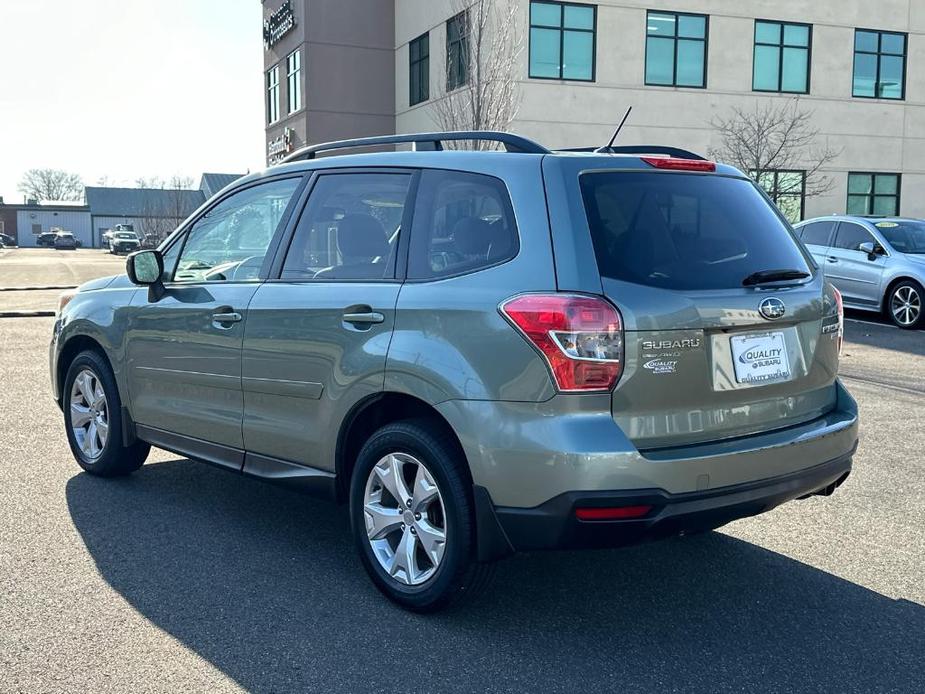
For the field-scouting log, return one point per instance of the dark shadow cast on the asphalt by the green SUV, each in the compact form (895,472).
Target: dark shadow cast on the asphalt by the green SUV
(265,585)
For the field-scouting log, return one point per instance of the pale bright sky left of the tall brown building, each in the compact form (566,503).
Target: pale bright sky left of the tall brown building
(115,90)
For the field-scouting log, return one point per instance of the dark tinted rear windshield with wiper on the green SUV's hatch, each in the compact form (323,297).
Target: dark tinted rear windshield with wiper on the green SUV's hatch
(684,231)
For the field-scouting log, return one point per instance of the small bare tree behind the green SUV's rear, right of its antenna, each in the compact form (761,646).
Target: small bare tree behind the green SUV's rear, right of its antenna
(776,136)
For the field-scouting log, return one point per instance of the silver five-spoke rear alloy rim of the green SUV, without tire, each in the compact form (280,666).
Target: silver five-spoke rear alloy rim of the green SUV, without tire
(405,518)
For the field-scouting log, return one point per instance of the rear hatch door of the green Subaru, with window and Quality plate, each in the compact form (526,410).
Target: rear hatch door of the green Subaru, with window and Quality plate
(718,343)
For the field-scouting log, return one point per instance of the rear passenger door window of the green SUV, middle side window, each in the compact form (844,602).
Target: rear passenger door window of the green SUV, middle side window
(349,229)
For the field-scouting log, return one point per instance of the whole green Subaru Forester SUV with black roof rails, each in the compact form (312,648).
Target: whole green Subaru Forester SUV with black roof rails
(478,352)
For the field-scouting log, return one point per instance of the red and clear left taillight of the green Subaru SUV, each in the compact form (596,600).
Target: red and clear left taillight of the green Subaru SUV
(581,337)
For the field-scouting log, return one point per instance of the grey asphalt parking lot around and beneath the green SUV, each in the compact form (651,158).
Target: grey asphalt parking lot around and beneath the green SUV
(186,577)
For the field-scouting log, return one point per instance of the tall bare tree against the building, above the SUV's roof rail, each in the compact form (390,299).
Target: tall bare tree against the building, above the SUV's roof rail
(479,91)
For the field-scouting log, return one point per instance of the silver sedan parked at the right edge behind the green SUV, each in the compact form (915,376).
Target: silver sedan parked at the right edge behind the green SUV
(878,264)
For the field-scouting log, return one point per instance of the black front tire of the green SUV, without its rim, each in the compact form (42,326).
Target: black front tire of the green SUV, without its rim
(114,459)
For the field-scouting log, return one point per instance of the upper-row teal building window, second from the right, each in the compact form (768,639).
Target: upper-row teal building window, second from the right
(781,62)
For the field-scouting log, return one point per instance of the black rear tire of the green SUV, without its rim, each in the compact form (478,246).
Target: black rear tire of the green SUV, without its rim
(458,575)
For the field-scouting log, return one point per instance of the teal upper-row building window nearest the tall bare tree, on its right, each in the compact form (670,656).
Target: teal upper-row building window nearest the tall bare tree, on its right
(562,41)
